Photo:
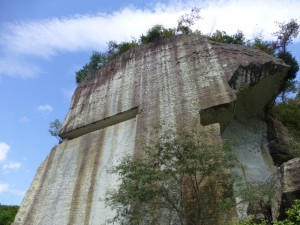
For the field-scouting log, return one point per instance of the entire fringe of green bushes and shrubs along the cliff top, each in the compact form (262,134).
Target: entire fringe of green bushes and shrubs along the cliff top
(278,48)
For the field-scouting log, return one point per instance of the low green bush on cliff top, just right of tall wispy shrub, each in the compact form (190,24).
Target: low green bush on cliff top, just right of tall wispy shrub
(223,37)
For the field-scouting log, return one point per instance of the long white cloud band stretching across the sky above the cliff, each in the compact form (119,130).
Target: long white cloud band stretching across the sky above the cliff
(49,37)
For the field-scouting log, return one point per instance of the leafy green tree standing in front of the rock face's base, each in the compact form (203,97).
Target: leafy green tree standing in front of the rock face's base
(180,179)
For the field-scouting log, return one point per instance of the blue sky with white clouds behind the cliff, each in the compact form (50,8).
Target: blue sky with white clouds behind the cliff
(43,43)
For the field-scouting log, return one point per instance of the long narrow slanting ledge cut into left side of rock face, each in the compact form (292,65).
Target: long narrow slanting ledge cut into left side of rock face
(101,124)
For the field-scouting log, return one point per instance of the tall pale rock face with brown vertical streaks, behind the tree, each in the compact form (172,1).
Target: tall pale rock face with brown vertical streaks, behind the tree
(173,83)
